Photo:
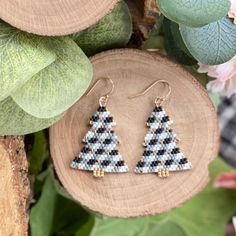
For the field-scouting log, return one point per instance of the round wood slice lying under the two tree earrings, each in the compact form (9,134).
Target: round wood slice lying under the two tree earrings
(195,122)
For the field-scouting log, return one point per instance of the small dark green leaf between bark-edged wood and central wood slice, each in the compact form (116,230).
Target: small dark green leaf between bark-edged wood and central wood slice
(39,153)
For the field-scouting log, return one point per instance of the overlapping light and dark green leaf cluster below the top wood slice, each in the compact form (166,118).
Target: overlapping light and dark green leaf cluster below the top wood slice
(41,77)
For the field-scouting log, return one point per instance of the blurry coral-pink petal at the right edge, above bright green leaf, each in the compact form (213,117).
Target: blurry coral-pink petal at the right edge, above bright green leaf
(226,180)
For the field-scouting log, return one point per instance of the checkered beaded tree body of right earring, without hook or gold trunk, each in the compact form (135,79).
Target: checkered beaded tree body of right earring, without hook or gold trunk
(160,146)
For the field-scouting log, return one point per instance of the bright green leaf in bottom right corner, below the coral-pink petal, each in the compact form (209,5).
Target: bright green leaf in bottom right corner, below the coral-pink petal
(204,212)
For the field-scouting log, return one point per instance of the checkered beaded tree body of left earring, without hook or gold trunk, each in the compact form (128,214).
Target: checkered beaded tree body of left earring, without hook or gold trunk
(100,149)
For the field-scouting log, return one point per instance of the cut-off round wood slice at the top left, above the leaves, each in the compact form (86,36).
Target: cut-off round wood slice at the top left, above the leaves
(54,17)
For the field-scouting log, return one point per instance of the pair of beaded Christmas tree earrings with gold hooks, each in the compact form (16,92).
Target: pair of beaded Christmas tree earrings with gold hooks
(161,153)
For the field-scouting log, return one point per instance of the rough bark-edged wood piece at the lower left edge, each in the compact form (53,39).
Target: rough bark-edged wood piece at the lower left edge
(14,187)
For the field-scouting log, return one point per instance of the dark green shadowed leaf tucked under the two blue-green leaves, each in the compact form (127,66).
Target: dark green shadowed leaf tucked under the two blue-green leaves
(174,44)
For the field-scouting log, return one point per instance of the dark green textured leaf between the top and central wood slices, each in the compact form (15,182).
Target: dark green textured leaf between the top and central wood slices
(113,31)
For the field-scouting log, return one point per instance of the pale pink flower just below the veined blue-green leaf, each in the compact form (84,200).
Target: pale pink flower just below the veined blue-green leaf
(225,75)
